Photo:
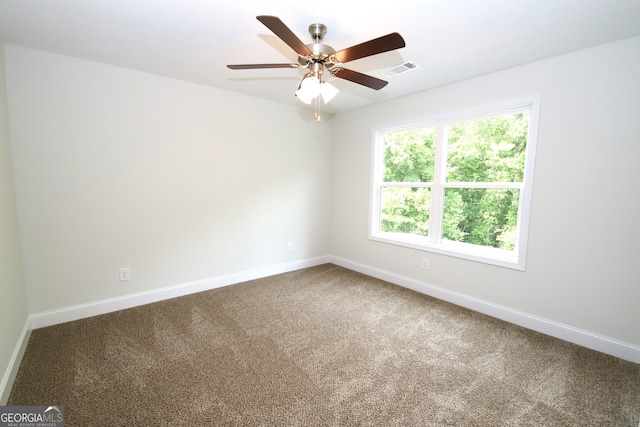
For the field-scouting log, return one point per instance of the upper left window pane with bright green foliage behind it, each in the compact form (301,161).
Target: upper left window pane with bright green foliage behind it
(409,156)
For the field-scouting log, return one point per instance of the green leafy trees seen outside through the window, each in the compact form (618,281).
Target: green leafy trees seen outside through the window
(485,161)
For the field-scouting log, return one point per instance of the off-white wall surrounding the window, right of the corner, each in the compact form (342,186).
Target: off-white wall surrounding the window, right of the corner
(583,241)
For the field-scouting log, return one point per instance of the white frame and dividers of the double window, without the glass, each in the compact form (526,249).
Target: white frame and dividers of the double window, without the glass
(433,243)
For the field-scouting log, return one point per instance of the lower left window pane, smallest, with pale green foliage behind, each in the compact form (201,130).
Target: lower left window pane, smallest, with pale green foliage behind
(405,210)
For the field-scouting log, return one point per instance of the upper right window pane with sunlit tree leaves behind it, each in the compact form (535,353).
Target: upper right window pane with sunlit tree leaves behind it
(488,150)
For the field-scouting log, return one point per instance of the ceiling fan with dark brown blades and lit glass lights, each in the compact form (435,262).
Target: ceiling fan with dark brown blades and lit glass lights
(320,58)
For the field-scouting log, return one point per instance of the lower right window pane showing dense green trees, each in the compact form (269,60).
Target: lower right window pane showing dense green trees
(486,217)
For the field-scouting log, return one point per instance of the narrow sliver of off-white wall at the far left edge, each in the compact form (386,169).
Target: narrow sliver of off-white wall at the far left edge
(13,303)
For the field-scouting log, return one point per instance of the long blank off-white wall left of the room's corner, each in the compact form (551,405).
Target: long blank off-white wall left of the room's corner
(179,182)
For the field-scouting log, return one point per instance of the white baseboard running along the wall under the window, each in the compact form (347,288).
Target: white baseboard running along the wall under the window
(564,332)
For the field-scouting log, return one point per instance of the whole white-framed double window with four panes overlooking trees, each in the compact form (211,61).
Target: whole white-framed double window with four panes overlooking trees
(459,184)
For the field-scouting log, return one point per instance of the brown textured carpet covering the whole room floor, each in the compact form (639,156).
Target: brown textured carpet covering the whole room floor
(315,347)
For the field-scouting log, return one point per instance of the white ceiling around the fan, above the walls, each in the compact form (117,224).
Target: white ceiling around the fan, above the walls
(193,40)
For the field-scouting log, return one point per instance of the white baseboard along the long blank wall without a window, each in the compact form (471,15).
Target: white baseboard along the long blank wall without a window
(68,314)
